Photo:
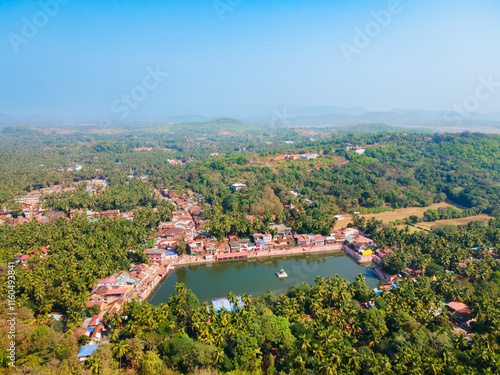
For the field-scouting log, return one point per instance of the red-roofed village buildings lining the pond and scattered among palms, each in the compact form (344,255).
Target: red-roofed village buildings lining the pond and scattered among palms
(189,228)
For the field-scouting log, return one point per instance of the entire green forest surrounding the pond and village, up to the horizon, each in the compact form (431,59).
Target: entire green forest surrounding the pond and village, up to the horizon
(326,328)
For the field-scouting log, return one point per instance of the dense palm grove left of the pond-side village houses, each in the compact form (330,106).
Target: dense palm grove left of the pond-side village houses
(79,253)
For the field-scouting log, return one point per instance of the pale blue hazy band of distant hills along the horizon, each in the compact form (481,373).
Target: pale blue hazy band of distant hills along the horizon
(284,117)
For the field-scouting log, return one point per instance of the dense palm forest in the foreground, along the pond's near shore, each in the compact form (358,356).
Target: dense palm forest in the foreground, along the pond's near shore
(325,328)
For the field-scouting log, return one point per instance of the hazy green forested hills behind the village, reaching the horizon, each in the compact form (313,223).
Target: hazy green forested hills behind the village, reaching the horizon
(397,169)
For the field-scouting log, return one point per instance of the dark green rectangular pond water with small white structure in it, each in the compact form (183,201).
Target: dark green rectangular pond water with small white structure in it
(255,277)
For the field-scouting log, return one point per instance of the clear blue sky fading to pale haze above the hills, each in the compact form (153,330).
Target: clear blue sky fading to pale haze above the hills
(78,58)
